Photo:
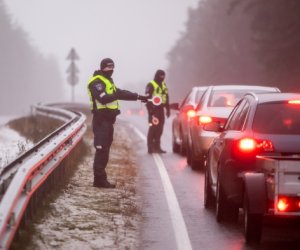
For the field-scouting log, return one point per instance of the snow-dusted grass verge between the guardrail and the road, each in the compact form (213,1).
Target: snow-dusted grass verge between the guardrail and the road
(85,217)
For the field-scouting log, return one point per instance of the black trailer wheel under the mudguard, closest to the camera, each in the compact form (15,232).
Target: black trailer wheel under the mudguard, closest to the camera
(252,223)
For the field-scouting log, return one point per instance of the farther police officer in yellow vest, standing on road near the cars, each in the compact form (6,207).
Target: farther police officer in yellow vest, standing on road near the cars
(158,92)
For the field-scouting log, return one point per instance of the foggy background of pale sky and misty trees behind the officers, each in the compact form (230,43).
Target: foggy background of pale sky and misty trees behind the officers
(197,42)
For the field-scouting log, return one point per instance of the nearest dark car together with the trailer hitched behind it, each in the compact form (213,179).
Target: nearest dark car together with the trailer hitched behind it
(260,127)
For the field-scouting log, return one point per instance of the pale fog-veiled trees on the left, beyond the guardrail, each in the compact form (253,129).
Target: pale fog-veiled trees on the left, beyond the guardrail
(26,76)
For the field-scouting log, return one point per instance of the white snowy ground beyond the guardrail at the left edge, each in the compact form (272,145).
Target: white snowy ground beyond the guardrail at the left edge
(11,142)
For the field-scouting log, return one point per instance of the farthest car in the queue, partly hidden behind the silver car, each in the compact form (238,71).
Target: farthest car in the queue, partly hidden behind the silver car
(184,112)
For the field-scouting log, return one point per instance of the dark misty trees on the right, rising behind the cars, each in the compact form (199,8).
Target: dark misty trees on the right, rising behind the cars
(239,42)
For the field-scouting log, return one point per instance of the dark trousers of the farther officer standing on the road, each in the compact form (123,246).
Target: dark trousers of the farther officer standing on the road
(155,131)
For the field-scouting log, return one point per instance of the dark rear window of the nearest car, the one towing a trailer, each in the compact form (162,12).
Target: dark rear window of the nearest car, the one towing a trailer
(277,118)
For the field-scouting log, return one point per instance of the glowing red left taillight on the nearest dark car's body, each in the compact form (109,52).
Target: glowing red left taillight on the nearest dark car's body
(250,145)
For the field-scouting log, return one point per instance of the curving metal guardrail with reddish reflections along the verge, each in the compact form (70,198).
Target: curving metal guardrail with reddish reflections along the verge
(21,179)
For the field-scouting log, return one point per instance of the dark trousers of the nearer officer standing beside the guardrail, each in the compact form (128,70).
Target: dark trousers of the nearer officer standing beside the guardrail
(103,137)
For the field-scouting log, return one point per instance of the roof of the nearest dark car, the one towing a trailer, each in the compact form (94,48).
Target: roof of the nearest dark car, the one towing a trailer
(275,97)
